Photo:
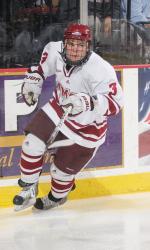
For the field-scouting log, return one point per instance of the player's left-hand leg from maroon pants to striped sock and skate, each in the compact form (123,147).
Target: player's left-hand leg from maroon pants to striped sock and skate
(31,161)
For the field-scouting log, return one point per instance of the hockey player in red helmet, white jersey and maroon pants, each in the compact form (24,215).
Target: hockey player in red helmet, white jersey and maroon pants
(86,82)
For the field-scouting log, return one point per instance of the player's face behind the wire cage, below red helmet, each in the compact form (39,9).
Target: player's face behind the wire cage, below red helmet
(76,50)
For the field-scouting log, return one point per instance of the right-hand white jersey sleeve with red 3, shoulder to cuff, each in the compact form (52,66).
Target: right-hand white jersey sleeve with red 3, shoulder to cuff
(105,90)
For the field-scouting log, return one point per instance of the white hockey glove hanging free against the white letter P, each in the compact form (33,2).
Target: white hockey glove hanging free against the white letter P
(32,86)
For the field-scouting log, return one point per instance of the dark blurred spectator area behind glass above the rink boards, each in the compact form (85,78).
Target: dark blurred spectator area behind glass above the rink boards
(26,26)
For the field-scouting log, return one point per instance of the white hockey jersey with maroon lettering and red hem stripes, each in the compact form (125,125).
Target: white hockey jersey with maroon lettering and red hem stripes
(96,78)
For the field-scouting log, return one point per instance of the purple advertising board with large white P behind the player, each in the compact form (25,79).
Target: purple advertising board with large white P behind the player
(15,114)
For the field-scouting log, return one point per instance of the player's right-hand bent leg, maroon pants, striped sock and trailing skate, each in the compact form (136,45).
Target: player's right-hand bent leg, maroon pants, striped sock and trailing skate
(68,162)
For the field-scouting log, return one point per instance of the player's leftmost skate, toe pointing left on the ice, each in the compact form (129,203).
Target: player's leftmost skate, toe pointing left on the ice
(27,197)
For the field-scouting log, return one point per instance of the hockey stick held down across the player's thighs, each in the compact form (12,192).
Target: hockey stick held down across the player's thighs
(57,129)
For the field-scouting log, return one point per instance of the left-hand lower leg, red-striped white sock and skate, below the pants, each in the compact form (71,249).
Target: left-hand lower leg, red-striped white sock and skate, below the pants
(30,166)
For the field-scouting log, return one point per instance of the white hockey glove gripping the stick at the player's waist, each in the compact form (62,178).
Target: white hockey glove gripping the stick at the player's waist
(80,102)
